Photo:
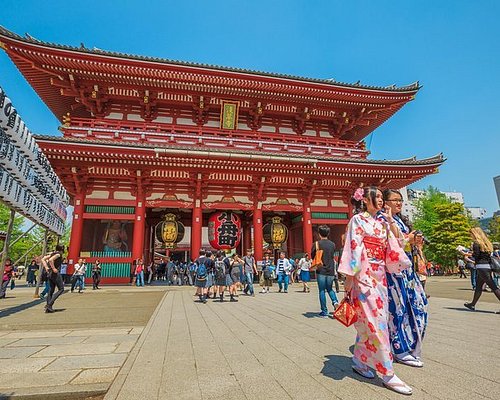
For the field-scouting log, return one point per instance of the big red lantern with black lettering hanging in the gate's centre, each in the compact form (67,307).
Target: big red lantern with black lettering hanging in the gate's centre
(224,230)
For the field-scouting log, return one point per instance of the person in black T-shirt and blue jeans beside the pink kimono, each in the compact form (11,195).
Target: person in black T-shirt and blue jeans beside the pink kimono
(325,273)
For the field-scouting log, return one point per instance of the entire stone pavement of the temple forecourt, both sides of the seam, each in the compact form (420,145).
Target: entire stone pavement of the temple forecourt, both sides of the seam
(270,346)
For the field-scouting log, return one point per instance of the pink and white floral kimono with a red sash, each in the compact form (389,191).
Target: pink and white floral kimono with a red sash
(370,251)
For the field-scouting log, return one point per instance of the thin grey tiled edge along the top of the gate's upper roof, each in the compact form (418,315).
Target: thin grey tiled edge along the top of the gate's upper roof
(82,49)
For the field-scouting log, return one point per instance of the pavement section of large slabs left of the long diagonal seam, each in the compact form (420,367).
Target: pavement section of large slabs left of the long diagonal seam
(63,354)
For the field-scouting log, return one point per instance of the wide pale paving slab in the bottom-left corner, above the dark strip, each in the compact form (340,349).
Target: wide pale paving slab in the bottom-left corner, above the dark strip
(36,379)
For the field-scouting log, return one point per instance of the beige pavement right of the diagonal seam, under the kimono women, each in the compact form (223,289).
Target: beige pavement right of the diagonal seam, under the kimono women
(274,346)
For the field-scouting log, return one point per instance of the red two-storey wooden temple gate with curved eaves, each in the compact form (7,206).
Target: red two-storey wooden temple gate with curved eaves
(142,136)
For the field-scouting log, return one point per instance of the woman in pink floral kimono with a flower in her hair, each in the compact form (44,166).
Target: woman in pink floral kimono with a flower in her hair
(370,251)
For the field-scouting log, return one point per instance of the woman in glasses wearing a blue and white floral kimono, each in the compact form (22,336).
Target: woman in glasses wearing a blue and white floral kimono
(407,299)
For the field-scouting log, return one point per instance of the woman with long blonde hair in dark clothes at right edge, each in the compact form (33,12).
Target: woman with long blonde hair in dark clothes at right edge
(481,252)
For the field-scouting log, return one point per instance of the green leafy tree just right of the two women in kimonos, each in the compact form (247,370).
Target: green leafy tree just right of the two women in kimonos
(445,224)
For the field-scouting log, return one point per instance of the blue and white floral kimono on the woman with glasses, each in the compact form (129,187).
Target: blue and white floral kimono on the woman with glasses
(407,306)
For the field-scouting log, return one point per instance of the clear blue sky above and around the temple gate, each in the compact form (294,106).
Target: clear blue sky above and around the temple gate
(451,47)
